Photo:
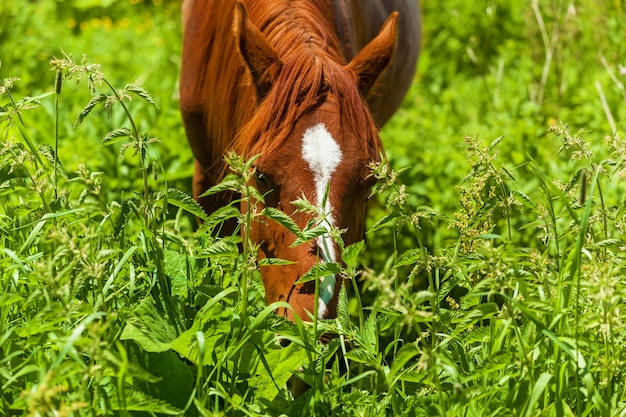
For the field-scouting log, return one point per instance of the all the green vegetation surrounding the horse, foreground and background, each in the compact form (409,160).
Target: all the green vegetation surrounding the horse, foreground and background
(492,278)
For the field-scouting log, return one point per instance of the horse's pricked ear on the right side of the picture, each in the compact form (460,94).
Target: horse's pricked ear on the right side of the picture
(370,62)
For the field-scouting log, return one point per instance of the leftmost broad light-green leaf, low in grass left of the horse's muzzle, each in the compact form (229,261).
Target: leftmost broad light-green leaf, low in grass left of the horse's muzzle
(148,328)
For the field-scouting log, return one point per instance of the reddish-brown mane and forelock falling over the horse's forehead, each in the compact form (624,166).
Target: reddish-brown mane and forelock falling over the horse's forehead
(313,72)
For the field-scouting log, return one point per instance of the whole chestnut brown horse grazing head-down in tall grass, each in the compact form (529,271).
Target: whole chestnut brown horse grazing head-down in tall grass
(299,83)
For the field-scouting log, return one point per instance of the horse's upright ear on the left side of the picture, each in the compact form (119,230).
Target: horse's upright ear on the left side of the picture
(260,57)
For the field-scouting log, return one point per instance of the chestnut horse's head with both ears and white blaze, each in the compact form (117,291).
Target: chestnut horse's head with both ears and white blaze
(315,138)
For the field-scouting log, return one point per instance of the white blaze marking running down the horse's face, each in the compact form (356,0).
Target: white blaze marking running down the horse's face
(323,154)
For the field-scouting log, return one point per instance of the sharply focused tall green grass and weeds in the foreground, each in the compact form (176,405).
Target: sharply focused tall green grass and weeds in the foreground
(109,307)
